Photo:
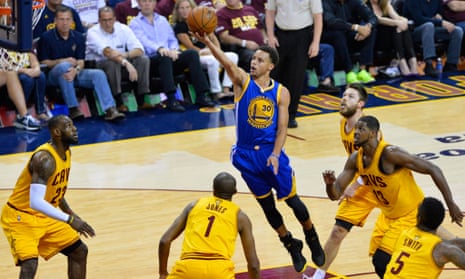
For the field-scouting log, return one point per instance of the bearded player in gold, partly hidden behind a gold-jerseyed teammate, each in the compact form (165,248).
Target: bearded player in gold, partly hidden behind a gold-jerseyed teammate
(352,211)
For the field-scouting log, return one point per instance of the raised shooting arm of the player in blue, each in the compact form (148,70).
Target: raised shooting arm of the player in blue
(238,76)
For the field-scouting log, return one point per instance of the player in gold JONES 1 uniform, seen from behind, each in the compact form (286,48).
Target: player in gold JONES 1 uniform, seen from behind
(210,227)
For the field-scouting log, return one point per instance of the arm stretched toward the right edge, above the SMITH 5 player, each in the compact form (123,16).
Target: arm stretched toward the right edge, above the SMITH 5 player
(399,157)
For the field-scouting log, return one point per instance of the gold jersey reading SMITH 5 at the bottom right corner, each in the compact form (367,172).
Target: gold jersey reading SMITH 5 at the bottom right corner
(412,257)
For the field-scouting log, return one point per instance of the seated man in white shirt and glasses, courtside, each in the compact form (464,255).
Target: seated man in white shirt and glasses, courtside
(119,54)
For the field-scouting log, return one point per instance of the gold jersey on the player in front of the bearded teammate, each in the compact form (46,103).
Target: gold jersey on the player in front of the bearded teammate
(397,193)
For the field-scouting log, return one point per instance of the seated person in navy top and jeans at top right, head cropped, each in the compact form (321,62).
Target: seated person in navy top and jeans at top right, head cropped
(429,26)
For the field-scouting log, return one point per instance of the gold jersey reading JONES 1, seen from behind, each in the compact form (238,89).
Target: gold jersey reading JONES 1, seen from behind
(211,230)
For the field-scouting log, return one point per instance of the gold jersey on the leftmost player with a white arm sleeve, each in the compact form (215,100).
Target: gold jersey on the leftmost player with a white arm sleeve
(56,184)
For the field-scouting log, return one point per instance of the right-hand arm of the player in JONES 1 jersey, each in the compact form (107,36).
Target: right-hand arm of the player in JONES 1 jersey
(248,245)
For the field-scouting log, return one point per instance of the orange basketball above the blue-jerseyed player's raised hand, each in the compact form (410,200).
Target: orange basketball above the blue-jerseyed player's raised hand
(202,20)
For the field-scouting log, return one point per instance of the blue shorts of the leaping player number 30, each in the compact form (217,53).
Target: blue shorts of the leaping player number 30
(260,179)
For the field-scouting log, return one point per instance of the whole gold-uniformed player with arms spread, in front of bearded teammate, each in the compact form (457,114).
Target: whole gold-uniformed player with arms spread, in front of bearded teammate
(386,170)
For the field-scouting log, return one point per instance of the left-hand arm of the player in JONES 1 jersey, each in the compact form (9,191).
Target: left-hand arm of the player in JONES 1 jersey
(164,245)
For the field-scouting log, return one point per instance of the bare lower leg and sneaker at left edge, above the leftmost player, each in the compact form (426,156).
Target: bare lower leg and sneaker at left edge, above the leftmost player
(15,92)
